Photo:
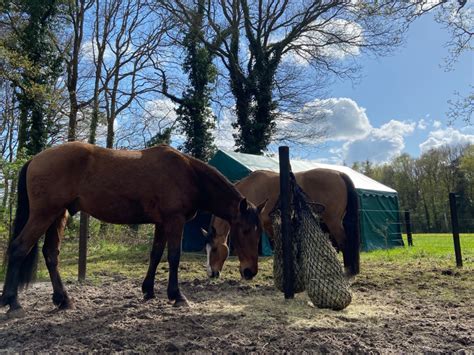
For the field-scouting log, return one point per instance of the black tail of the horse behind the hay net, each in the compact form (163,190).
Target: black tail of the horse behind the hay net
(351,250)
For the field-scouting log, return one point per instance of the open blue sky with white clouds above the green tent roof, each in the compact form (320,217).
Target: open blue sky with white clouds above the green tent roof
(398,106)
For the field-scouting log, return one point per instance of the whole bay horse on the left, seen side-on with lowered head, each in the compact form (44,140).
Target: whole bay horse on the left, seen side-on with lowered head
(158,185)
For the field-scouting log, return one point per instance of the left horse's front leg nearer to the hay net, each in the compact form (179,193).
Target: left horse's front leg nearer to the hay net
(174,233)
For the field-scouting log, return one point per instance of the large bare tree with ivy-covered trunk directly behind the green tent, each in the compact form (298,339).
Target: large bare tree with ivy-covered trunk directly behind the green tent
(259,36)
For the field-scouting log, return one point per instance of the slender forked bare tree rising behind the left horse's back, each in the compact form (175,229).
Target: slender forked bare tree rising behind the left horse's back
(126,35)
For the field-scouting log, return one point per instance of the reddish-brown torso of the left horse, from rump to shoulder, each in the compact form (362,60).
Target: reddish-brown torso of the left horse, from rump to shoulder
(117,186)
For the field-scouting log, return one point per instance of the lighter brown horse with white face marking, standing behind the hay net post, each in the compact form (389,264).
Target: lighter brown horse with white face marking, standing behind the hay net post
(333,189)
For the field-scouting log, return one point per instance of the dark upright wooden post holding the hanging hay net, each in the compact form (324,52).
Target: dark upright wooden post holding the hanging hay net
(288,282)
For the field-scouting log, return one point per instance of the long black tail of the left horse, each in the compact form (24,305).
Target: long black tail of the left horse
(27,269)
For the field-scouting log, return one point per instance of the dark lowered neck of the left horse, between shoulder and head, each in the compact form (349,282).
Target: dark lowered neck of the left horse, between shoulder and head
(218,195)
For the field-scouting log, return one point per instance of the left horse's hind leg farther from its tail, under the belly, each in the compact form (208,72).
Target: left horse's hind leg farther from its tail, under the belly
(52,241)
